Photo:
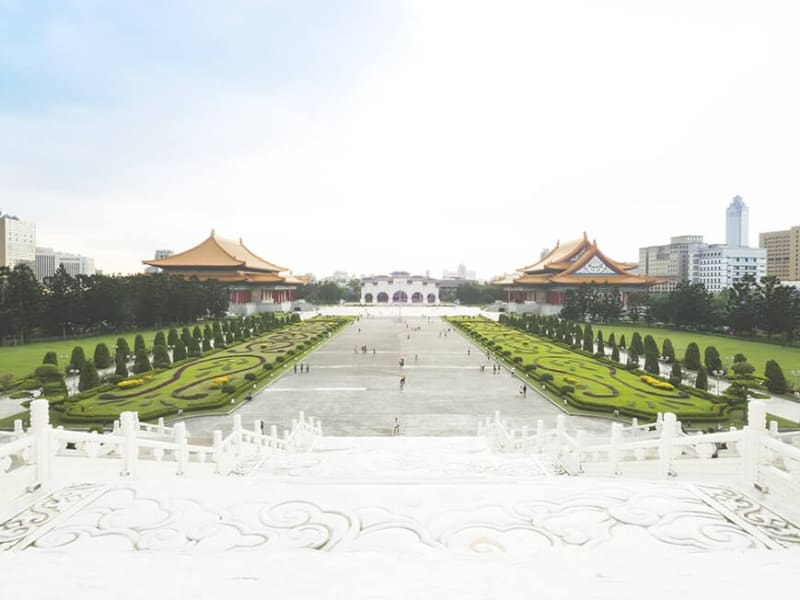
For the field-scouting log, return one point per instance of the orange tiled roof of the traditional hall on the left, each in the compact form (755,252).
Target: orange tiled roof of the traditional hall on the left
(216,252)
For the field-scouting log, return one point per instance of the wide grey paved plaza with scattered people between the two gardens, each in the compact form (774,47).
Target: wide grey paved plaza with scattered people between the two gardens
(357,393)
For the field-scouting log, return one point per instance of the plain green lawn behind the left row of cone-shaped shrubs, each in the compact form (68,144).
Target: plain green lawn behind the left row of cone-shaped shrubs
(21,361)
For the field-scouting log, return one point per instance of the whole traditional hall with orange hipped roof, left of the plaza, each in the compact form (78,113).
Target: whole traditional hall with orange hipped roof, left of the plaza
(255,285)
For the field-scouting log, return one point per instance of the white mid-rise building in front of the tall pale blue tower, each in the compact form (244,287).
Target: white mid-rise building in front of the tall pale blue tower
(719,266)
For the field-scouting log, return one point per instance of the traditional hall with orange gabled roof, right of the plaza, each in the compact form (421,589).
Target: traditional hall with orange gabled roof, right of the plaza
(568,266)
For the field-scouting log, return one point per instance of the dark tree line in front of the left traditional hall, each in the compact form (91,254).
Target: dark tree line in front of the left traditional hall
(66,305)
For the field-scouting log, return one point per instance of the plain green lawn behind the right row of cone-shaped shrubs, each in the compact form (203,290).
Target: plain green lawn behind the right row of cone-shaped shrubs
(757,353)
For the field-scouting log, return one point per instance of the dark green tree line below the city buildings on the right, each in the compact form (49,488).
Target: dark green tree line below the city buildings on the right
(747,308)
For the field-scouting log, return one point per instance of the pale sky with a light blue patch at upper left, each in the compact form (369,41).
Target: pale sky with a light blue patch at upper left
(372,136)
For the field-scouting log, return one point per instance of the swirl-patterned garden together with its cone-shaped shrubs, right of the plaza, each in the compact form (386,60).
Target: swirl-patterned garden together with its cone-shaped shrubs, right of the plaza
(572,367)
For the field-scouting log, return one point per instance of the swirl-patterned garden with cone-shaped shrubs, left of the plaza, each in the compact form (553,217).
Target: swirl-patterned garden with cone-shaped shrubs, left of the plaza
(213,368)
